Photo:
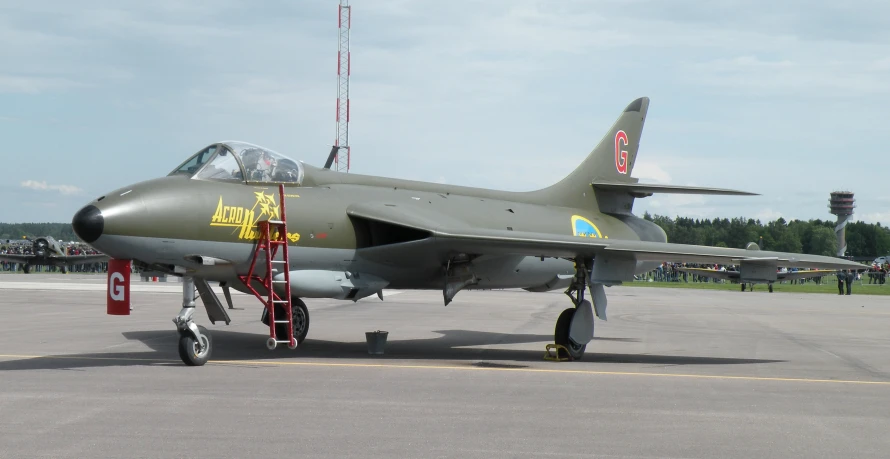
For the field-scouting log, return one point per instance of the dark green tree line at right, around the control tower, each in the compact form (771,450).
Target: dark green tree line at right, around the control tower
(813,236)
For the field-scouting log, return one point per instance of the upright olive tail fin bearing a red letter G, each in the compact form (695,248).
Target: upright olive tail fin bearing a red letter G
(612,159)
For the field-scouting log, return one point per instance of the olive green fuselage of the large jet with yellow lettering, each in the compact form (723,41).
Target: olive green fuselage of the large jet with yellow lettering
(168,221)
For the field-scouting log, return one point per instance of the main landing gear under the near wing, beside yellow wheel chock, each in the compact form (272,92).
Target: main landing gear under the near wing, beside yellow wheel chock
(574,326)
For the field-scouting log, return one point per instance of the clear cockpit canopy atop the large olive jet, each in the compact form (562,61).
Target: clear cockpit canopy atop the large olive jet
(241,162)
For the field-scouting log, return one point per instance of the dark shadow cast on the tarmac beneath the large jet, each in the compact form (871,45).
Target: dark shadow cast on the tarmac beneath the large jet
(451,345)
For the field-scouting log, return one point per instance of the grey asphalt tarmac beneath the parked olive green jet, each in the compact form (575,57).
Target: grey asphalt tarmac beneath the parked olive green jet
(672,373)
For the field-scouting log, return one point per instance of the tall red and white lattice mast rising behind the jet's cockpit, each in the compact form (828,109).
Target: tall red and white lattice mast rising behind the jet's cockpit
(341,144)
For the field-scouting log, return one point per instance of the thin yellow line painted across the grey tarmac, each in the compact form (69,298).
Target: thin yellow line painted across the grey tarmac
(456,367)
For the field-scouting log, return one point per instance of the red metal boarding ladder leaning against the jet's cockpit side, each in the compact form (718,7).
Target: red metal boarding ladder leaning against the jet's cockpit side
(273,236)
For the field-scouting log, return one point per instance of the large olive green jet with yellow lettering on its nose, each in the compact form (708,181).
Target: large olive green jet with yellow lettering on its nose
(350,236)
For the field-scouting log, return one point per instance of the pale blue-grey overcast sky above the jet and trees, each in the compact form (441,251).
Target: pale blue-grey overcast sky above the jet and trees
(788,99)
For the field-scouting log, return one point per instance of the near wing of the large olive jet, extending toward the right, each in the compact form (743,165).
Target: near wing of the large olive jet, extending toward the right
(434,239)
